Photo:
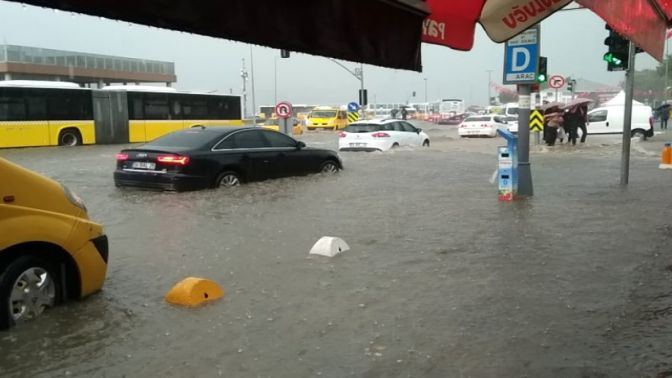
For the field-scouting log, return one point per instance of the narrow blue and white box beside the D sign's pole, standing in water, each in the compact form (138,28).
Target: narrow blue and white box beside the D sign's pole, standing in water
(507,167)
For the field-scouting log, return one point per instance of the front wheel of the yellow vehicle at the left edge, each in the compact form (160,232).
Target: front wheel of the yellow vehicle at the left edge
(28,286)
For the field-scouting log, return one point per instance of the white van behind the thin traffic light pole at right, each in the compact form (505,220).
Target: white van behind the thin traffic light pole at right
(609,120)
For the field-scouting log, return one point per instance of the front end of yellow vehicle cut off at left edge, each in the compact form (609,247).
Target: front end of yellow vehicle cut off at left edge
(49,249)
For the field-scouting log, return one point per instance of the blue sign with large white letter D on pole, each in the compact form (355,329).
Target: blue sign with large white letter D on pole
(521,58)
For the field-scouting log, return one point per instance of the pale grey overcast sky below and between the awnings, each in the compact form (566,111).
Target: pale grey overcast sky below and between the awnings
(573,41)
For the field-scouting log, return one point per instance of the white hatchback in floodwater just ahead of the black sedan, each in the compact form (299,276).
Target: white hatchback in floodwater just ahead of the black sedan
(380,135)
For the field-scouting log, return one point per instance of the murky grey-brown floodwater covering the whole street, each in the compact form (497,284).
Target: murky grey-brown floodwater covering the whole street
(442,280)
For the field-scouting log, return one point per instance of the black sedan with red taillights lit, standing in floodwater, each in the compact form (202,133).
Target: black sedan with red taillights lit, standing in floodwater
(216,157)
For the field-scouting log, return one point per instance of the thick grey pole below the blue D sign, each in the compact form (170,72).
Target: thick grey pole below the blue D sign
(524,169)
